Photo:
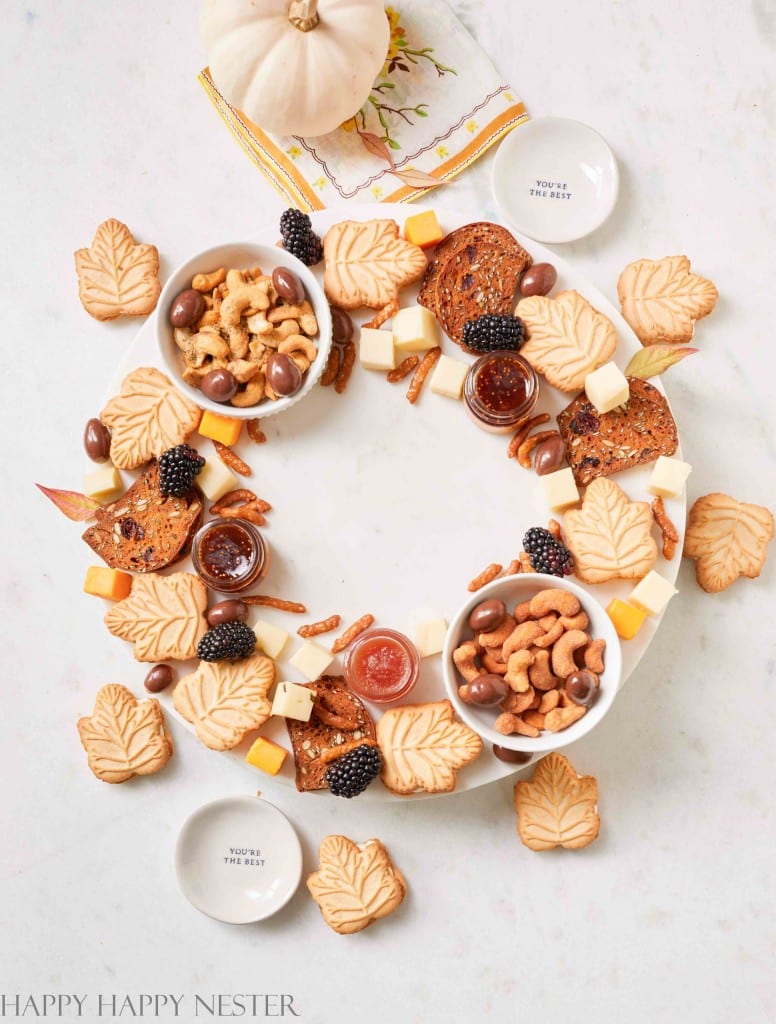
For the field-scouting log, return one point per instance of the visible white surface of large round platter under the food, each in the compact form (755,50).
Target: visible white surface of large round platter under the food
(383,507)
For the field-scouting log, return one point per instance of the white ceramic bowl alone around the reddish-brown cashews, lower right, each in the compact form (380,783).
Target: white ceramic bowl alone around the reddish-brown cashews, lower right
(482,719)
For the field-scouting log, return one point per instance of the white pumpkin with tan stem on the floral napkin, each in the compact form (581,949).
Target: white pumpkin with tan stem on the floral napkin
(295,67)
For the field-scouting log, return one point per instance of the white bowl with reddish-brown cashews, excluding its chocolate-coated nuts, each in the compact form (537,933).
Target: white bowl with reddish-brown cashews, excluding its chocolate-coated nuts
(544,614)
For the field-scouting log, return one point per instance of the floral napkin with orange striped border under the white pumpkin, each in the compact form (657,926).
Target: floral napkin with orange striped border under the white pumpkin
(437,107)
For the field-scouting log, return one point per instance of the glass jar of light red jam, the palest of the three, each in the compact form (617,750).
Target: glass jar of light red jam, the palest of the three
(382,666)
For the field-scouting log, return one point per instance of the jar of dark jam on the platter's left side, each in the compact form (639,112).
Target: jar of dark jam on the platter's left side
(230,556)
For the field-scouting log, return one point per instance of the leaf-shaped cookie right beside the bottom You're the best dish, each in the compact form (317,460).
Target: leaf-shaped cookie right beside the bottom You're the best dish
(356,885)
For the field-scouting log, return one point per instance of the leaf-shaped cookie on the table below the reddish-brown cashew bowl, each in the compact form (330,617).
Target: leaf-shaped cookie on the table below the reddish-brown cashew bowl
(556,807)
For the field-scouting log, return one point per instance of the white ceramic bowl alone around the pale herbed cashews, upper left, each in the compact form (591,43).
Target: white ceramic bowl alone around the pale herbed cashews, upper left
(241,254)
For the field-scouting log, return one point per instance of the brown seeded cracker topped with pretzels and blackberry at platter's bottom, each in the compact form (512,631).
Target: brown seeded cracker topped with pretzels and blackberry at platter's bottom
(338,717)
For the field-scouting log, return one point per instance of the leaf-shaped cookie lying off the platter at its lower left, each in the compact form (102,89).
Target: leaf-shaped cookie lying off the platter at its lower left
(124,737)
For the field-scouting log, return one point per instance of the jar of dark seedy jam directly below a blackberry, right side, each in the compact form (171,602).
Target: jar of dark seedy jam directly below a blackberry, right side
(500,391)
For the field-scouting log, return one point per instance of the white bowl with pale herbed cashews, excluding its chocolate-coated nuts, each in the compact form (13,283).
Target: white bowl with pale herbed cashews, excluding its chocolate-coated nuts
(235,329)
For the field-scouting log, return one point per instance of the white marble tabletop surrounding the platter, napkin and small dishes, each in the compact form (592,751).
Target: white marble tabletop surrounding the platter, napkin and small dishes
(670,915)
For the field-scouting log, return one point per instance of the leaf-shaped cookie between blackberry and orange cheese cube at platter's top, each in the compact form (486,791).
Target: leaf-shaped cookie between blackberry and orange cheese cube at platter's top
(367,264)
